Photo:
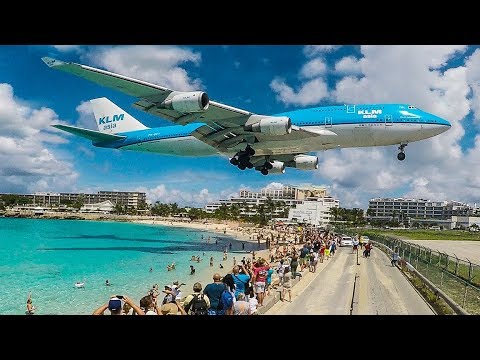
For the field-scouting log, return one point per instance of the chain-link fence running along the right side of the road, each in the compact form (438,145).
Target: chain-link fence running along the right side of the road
(458,278)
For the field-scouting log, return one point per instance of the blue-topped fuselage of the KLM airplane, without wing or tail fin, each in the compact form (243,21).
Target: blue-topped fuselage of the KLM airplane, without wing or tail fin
(354,126)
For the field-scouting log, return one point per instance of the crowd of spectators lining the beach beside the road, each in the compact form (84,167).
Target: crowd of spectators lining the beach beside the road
(243,290)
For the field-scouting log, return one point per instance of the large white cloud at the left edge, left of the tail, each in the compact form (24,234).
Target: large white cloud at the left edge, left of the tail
(26,164)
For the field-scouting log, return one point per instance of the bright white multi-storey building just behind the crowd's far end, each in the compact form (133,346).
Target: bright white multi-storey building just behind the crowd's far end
(315,212)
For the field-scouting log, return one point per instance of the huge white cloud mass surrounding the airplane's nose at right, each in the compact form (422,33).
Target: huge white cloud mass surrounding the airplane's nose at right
(435,168)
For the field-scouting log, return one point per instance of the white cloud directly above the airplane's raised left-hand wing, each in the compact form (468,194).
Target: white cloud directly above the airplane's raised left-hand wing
(152,63)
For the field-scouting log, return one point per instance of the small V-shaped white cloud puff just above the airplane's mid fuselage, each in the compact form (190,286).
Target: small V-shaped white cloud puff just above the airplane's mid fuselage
(311,92)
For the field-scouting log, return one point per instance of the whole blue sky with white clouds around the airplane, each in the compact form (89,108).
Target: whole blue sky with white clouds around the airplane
(266,79)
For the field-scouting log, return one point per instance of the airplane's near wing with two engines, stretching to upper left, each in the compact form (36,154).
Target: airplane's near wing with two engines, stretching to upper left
(226,126)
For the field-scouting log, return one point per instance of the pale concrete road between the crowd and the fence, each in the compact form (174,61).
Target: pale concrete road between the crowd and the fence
(380,289)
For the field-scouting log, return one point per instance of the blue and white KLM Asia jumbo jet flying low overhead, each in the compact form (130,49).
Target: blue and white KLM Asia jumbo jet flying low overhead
(267,143)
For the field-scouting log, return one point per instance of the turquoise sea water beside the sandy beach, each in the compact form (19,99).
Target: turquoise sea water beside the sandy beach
(47,257)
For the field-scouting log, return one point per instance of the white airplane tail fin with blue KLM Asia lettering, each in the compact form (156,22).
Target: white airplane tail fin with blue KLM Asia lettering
(111,119)
